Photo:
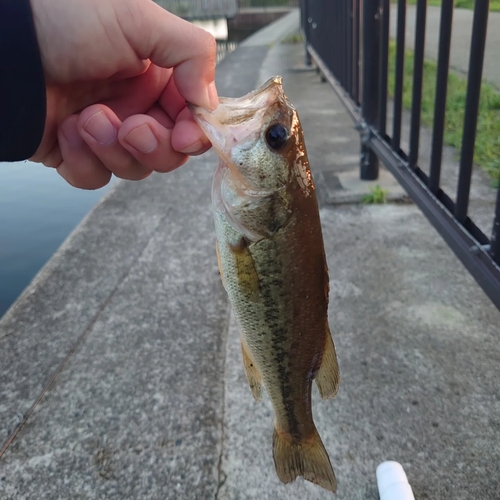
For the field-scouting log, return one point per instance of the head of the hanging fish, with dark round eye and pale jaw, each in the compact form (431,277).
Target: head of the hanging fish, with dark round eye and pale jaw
(258,137)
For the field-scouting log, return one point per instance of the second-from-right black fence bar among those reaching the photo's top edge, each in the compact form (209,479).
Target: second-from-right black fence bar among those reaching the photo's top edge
(441,88)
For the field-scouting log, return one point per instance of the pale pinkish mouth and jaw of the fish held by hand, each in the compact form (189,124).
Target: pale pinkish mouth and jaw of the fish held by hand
(238,121)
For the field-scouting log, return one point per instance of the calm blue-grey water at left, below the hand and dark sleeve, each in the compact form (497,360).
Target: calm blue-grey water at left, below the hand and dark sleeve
(38,210)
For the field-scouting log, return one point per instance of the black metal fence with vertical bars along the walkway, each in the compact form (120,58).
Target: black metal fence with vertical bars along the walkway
(349,42)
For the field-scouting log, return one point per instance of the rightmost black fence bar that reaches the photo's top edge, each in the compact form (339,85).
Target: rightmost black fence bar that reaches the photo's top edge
(475,75)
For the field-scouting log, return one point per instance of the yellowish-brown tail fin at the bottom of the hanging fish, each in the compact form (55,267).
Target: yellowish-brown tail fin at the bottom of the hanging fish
(307,458)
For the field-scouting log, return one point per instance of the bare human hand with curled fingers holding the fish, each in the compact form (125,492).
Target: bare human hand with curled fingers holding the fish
(118,75)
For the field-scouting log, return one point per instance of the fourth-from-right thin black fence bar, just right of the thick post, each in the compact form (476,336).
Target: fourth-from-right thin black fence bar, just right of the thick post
(399,75)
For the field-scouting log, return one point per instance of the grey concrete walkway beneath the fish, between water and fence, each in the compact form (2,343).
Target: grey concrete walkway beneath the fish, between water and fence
(126,343)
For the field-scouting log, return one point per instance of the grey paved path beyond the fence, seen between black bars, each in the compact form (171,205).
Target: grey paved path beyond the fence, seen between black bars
(461,37)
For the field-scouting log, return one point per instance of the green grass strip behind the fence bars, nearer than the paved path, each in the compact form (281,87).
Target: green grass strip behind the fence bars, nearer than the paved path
(487,152)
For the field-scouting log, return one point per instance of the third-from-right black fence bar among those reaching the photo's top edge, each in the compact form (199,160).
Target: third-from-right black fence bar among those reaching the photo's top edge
(418,74)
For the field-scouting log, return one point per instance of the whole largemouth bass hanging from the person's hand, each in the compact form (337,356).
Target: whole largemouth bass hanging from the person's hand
(273,267)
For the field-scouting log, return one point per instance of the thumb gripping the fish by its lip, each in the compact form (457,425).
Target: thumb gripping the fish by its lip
(170,42)
